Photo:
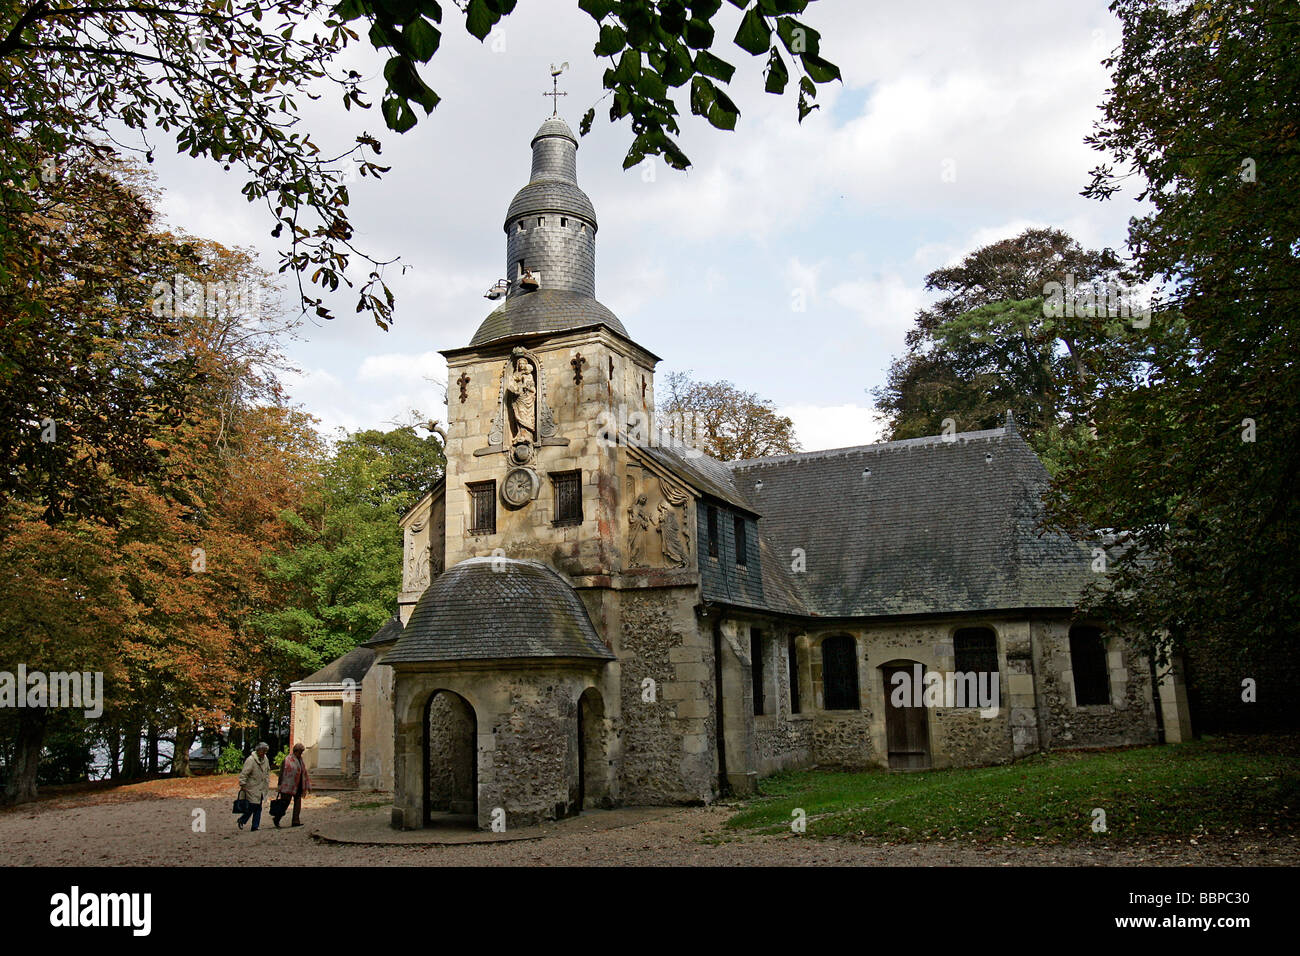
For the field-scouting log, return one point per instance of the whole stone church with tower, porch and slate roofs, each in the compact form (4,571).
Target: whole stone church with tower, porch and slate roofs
(595,613)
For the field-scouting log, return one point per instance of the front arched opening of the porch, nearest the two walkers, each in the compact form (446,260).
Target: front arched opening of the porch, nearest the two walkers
(450,758)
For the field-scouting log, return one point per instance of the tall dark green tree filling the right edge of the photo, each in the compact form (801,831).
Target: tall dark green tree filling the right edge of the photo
(1197,465)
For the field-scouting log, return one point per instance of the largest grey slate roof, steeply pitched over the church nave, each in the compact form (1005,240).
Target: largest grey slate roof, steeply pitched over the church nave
(924,526)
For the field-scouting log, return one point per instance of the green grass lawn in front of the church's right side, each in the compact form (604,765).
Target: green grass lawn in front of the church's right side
(1207,788)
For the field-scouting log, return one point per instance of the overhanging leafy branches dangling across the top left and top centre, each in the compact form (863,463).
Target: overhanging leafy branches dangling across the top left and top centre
(226,77)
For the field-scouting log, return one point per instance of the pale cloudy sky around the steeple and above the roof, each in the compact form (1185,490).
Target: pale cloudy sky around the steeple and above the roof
(844,214)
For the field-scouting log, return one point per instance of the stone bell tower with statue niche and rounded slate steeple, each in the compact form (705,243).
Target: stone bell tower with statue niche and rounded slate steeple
(536,397)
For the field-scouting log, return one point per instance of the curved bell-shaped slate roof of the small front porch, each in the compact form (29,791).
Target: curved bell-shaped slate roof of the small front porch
(488,609)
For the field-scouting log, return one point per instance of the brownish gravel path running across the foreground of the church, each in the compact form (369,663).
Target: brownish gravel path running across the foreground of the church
(153,825)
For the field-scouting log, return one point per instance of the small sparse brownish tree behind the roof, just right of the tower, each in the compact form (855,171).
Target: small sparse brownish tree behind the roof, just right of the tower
(727,423)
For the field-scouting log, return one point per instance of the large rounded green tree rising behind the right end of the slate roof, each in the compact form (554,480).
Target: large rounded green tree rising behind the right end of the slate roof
(1034,325)
